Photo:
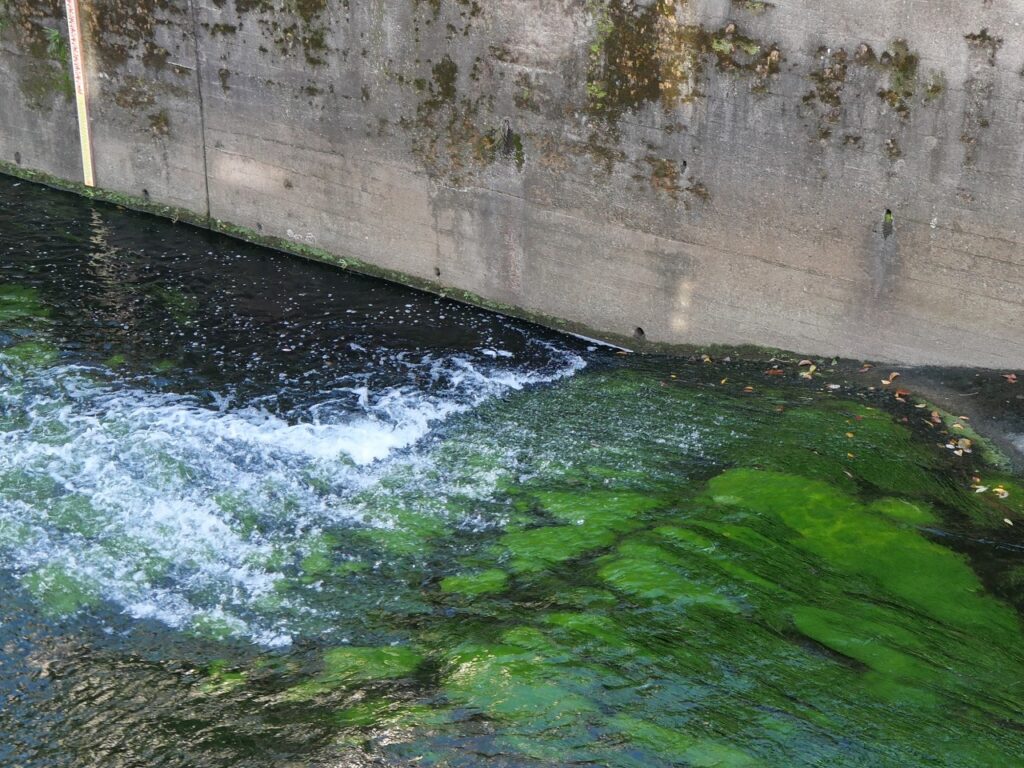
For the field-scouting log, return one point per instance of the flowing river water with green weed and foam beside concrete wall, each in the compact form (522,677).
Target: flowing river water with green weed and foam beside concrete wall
(255,511)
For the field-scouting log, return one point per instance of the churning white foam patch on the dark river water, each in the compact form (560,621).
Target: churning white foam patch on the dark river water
(177,511)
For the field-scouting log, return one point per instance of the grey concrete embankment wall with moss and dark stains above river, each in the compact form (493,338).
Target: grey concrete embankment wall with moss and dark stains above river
(841,178)
